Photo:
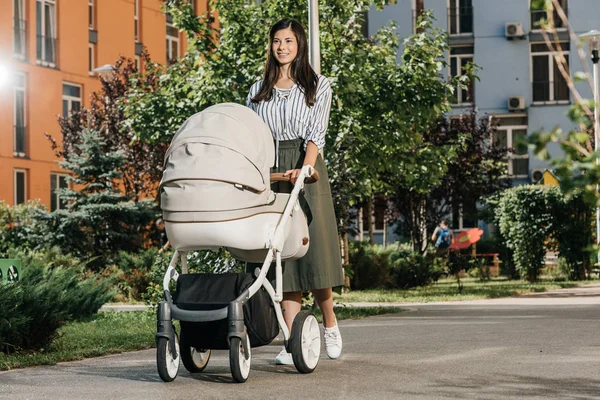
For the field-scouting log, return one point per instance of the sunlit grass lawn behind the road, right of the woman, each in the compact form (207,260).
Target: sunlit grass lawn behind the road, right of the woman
(446,290)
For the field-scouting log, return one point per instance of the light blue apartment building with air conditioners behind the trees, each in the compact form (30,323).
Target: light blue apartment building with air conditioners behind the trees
(520,83)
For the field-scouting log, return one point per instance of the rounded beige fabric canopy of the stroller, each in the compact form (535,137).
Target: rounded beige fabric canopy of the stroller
(219,160)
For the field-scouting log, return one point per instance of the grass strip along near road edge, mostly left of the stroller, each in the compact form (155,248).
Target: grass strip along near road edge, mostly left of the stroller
(116,332)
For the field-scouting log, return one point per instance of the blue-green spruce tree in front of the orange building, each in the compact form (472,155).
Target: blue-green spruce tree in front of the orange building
(99,219)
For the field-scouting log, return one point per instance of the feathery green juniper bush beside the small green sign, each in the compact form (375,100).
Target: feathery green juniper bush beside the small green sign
(50,292)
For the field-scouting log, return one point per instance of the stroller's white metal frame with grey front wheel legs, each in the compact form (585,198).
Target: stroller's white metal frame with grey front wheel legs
(167,310)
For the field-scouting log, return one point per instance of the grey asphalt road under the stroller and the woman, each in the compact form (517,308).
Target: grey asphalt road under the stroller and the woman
(536,347)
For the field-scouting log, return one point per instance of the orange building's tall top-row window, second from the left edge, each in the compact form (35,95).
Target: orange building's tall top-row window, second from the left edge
(46,32)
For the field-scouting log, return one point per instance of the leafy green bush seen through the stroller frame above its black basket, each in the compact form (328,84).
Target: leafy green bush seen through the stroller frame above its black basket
(205,261)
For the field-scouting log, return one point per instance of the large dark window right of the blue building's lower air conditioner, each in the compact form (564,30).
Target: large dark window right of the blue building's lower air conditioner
(548,84)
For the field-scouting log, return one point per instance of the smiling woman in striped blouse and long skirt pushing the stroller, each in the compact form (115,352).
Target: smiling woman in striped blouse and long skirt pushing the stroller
(294,102)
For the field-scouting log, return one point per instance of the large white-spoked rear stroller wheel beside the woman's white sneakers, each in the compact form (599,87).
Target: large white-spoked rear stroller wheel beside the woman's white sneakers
(305,342)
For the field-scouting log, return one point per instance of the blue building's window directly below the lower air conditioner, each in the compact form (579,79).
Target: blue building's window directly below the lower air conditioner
(512,137)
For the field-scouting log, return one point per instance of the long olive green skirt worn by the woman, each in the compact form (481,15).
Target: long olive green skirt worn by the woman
(321,267)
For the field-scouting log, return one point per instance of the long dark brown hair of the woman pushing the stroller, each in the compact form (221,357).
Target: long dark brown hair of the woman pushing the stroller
(301,72)
